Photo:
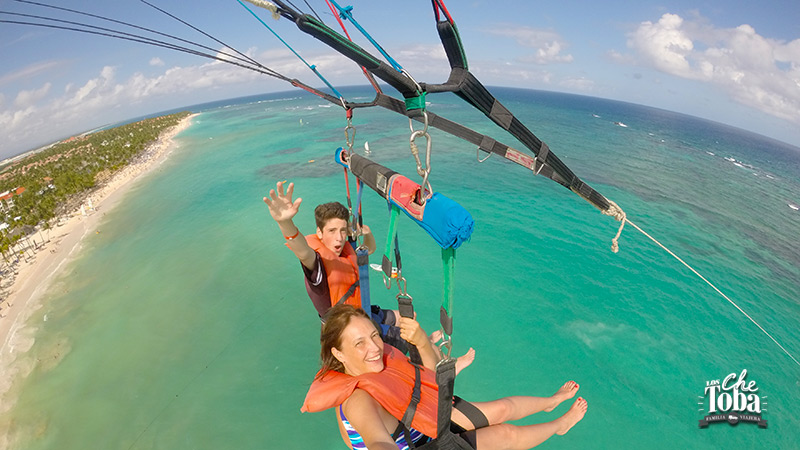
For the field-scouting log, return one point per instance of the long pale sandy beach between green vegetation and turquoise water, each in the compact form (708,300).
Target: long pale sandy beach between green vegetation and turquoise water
(34,276)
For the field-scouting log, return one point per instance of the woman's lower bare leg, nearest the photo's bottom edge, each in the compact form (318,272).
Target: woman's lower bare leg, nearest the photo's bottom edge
(510,437)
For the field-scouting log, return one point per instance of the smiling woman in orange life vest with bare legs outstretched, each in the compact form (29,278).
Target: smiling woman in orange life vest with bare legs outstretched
(386,402)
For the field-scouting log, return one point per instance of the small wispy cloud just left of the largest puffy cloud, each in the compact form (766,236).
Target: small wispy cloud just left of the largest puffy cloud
(548,45)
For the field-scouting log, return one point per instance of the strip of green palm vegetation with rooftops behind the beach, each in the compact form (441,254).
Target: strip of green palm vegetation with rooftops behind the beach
(56,180)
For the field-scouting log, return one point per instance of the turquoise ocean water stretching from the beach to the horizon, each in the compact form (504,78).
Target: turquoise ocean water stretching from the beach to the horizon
(184,323)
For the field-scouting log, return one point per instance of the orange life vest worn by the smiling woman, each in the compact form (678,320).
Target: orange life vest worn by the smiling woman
(391,388)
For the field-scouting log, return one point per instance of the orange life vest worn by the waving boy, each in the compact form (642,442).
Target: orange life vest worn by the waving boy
(341,271)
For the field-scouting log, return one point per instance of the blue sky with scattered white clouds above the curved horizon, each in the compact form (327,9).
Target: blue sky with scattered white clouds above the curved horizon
(730,61)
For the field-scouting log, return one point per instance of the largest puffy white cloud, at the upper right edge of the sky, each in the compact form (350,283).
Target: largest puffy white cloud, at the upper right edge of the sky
(754,70)
